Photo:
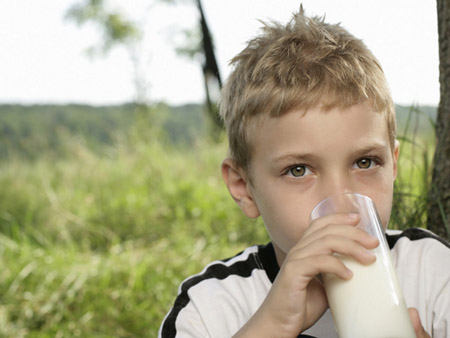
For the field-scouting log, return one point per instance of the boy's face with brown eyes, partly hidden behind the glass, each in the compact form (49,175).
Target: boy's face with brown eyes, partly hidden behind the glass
(300,159)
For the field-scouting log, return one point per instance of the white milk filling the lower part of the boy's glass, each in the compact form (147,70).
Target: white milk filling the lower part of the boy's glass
(370,304)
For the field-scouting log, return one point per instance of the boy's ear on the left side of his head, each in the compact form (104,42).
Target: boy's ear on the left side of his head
(239,187)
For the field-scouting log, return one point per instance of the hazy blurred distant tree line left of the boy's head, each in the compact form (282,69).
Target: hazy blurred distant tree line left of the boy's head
(28,132)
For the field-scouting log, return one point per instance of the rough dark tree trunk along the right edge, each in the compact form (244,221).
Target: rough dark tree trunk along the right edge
(439,198)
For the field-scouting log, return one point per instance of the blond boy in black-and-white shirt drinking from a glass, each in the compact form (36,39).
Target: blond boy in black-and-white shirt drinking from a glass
(308,115)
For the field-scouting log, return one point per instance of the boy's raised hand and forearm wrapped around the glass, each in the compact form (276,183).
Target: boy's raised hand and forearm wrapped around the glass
(297,298)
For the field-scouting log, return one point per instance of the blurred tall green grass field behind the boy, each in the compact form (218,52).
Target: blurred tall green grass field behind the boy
(95,244)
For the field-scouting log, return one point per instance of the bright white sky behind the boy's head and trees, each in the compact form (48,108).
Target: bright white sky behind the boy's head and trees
(43,55)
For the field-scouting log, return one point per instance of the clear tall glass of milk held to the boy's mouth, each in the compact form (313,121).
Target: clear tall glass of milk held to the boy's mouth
(371,303)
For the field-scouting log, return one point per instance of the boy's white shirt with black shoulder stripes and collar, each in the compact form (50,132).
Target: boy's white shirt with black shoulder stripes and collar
(218,301)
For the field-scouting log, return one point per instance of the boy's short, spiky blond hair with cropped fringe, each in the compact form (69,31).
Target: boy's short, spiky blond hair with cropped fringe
(302,64)
